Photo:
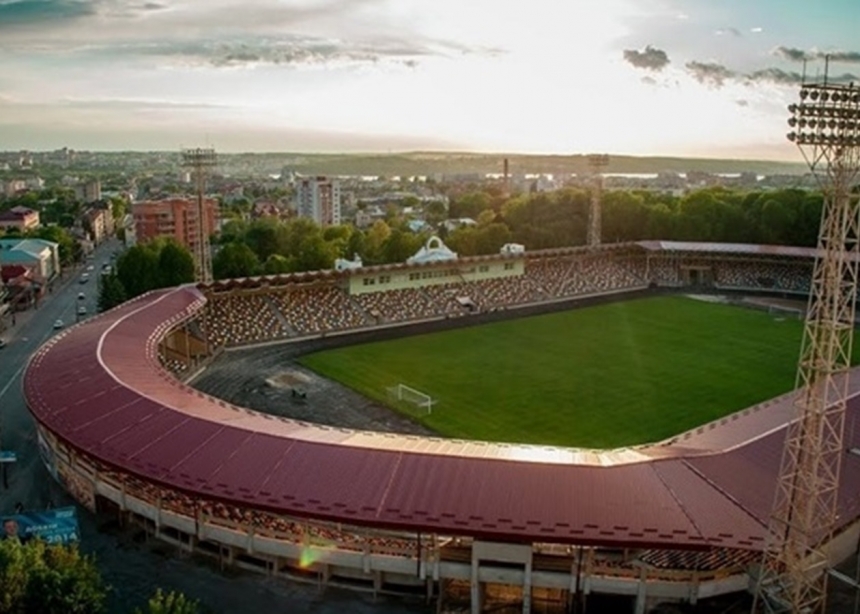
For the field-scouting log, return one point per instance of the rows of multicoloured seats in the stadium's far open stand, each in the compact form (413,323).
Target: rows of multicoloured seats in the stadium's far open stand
(298,309)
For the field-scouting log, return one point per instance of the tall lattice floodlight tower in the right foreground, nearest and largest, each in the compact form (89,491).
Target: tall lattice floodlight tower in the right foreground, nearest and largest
(826,127)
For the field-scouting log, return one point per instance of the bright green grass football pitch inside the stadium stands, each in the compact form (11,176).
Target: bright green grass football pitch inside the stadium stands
(613,375)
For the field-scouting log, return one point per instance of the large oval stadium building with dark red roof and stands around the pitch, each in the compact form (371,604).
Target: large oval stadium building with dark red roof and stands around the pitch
(470,524)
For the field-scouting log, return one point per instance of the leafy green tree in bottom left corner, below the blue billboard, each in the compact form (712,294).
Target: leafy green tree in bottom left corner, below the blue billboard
(35,577)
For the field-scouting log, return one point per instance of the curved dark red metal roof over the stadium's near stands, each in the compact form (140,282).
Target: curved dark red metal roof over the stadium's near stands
(99,387)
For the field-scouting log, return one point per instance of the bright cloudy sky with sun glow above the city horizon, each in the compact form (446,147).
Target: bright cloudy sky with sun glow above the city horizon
(649,77)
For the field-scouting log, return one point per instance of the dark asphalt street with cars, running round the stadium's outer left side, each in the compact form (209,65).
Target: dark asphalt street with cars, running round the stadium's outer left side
(134,569)
